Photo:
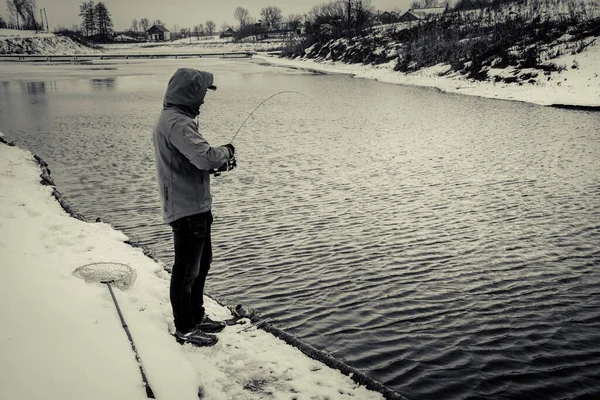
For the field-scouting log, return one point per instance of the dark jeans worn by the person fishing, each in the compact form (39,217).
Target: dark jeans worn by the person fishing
(193,255)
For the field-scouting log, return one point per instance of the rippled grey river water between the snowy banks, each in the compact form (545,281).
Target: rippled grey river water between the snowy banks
(445,245)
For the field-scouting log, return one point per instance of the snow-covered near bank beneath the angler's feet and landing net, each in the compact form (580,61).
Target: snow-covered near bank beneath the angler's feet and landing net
(61,337)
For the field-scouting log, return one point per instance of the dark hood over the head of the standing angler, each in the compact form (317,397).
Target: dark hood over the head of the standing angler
(186,90)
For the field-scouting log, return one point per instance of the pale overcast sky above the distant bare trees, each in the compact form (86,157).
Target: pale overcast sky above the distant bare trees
(183,13)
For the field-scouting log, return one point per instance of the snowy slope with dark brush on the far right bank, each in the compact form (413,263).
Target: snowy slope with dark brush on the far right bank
(545,53)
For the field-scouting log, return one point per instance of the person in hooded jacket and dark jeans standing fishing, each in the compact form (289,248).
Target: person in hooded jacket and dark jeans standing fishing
(184,160)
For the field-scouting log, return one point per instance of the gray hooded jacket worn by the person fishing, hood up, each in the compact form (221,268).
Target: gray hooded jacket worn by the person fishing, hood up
(183,156)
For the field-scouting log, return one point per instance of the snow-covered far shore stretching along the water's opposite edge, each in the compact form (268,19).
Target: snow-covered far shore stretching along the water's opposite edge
(574,88)
